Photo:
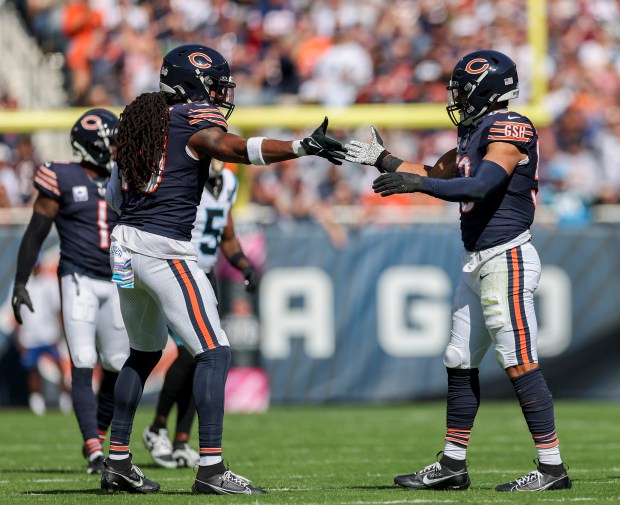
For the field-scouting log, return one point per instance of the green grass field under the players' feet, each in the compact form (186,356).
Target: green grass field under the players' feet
(339,454)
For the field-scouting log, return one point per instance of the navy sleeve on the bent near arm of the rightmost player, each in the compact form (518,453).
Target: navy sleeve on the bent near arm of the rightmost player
(490,176)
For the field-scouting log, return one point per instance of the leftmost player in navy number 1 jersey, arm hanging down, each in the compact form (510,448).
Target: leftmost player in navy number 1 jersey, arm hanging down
(72,195)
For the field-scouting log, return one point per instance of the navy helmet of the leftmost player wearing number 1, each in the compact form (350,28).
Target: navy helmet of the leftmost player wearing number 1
(93,137)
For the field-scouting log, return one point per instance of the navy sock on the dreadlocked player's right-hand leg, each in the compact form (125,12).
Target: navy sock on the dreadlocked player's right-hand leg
(209,381)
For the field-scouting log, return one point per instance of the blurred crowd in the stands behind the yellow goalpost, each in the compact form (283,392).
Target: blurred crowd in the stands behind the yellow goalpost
(342,52)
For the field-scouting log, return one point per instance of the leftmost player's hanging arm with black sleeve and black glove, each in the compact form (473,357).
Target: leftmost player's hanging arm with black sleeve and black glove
(44,211)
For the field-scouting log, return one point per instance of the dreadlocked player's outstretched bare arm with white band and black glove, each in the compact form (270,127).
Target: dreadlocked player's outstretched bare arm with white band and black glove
(232,148)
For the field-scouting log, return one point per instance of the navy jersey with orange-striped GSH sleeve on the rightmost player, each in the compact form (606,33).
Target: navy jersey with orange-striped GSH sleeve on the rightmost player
(509,210)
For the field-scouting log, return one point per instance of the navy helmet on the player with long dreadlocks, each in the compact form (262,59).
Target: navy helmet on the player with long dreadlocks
(194,73)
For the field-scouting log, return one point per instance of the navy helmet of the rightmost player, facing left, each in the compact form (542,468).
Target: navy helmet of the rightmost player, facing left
(480,80)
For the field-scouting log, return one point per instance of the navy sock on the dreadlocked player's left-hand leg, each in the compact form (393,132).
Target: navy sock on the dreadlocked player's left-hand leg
(127,394)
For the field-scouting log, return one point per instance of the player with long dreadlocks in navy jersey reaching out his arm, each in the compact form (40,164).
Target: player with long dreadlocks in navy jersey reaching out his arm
(166,141)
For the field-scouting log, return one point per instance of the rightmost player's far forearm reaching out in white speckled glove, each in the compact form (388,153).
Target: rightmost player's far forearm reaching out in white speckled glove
(377,155)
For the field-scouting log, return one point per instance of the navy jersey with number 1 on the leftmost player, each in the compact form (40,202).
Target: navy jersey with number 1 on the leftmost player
(84,220)
